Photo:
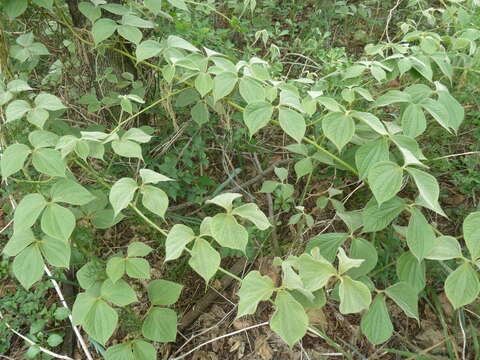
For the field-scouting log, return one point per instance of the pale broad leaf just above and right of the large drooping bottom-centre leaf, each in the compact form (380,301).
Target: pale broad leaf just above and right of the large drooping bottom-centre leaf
(315,272)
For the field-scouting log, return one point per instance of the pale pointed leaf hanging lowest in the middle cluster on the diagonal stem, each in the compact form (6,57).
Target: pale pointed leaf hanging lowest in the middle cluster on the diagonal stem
(204,259)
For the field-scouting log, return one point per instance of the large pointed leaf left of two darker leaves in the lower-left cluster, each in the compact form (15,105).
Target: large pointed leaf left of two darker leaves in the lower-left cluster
(100,321)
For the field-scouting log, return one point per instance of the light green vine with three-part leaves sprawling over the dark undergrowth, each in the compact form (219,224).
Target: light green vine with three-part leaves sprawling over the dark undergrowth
(358,125)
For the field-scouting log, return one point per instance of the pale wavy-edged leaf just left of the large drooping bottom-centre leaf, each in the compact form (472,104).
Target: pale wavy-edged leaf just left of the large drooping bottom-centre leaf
(254,288)
